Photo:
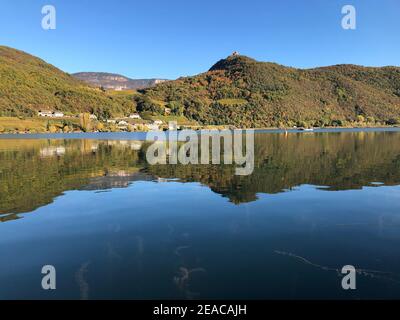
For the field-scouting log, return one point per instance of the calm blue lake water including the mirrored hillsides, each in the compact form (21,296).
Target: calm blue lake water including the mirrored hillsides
(116,228)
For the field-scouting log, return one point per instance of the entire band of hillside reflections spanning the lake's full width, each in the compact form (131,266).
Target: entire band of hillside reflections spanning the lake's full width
(34,172)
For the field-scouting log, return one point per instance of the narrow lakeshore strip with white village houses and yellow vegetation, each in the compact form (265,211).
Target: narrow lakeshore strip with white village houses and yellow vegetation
(55,121)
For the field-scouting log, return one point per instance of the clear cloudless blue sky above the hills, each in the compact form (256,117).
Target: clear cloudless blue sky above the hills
(172,38)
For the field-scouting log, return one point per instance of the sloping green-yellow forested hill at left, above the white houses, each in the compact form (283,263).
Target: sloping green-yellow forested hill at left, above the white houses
(28,84)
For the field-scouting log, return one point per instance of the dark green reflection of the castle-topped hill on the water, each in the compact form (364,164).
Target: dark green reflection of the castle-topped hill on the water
(340,161)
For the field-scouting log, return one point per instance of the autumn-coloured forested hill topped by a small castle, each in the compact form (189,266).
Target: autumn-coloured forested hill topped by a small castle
(243,92)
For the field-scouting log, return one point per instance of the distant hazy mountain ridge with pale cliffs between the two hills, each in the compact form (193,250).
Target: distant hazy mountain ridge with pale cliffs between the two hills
(112,81)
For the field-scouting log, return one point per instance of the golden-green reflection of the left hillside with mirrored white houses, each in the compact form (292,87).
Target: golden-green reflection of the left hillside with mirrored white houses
(34,172)
